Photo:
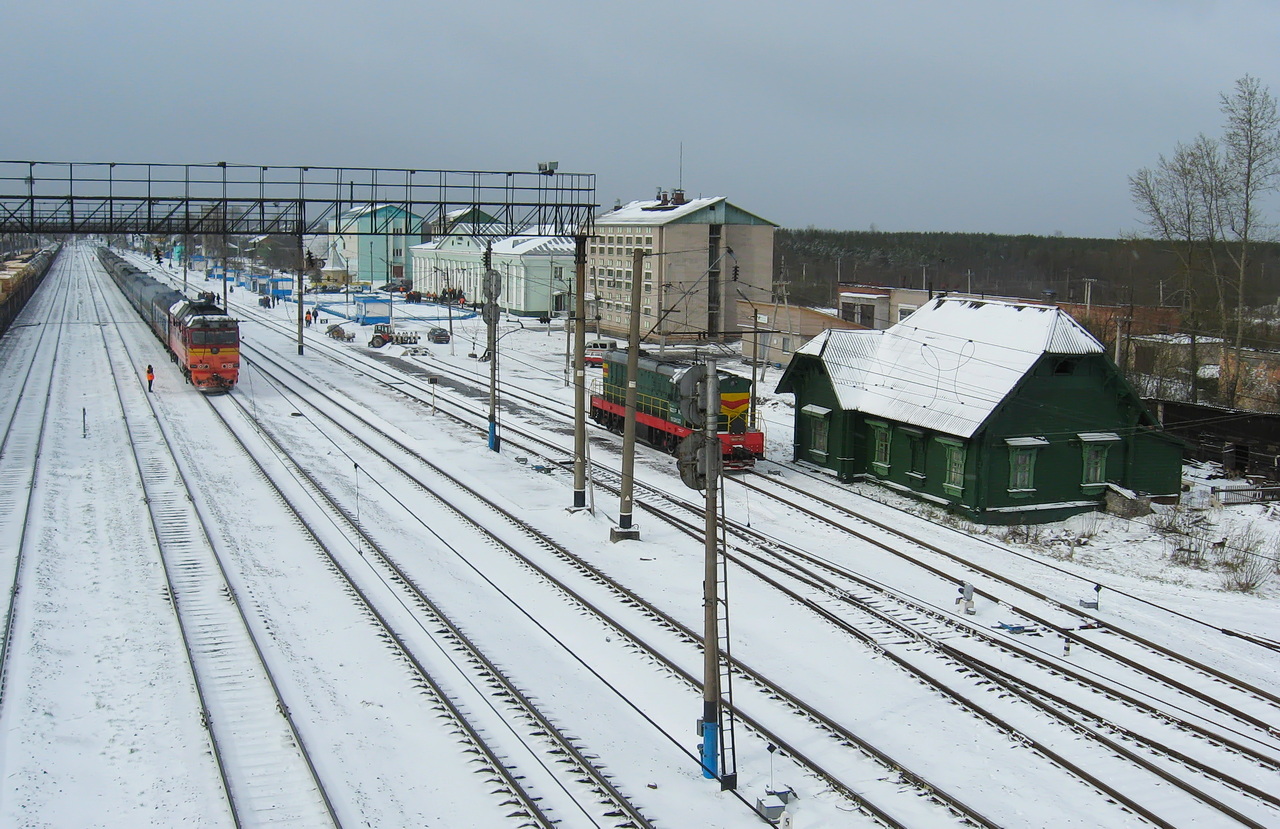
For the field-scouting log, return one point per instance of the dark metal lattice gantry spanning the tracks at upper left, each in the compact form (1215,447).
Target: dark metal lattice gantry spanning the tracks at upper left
(56,198)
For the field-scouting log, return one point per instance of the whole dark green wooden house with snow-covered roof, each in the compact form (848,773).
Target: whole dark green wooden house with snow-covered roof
(1004,413)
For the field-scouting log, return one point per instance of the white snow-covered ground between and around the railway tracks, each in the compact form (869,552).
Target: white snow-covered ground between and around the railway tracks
(100,717)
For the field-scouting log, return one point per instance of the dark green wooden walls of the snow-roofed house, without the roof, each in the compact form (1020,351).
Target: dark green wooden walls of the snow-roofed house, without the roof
(1060,409)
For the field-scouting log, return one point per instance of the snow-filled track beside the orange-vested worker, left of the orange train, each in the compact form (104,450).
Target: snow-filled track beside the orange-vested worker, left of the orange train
(267,771)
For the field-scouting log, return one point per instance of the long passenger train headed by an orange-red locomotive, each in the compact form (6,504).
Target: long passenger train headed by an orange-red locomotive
(199,335)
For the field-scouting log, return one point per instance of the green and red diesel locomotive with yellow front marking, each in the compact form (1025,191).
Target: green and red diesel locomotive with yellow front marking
(665,393)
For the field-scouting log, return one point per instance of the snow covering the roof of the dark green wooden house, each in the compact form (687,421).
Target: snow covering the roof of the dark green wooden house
(950,364)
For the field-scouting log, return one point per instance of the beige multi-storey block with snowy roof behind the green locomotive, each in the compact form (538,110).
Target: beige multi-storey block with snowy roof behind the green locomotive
(702,257)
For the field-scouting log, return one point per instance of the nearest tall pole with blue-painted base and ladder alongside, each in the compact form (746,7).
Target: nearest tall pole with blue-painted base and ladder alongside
(711,599)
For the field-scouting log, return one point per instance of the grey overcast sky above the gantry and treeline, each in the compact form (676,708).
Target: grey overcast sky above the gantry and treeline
(986,116)
